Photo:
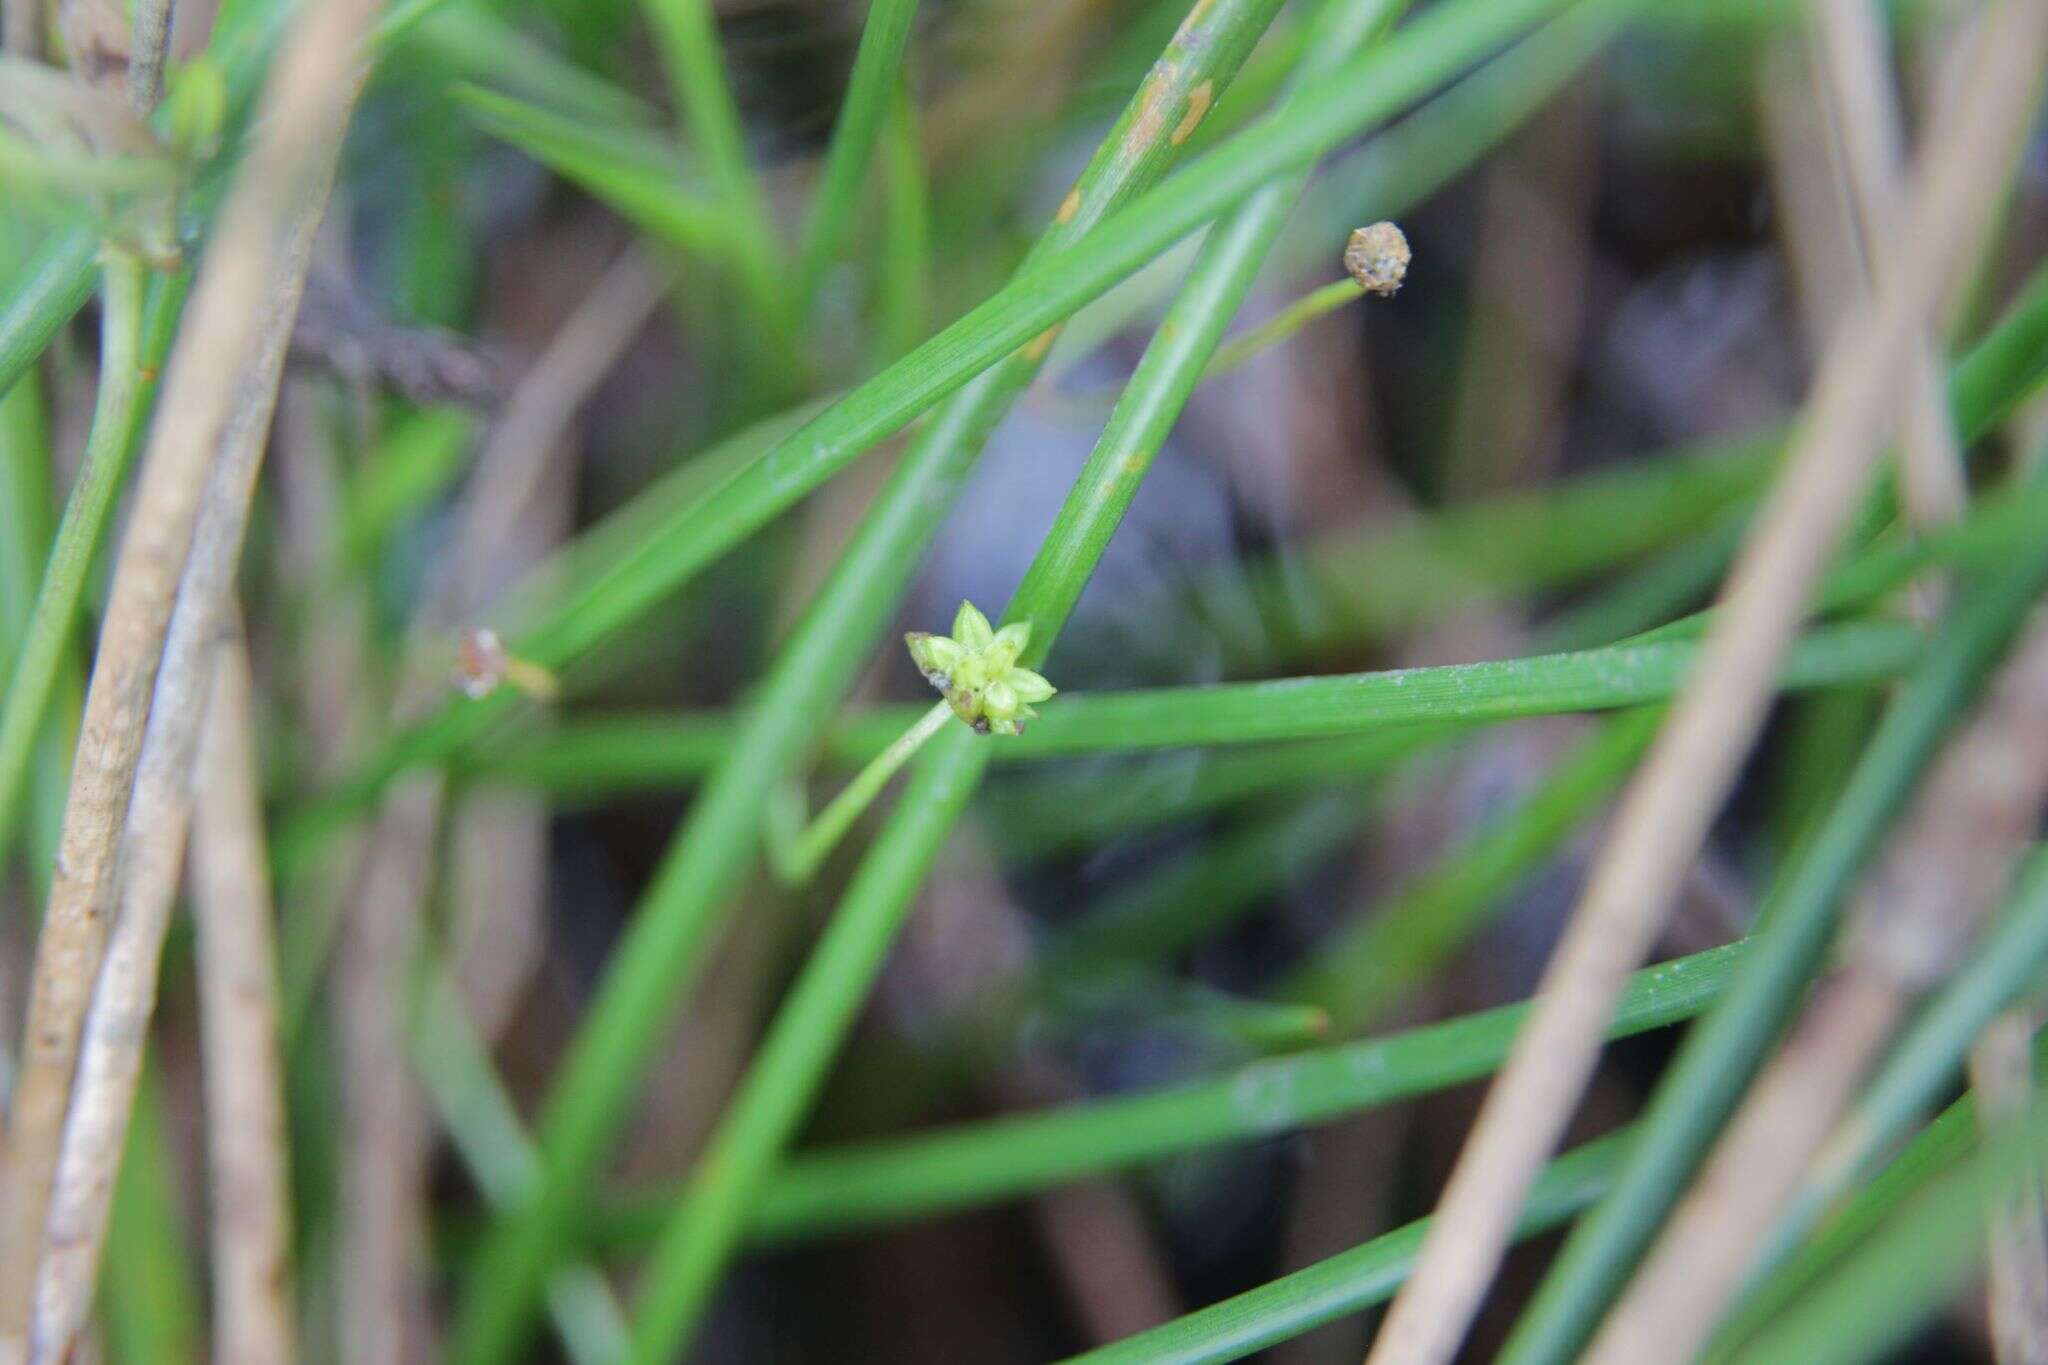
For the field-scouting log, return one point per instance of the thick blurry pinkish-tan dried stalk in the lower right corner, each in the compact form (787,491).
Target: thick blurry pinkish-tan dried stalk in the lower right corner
(1906,932)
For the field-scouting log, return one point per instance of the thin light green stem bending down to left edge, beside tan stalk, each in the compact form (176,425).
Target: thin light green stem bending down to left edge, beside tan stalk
(116,416)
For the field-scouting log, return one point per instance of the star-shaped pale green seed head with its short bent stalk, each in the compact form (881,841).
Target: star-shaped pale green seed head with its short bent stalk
(978,672)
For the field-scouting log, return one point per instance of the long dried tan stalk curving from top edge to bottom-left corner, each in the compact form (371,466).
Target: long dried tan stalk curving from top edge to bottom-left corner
(296,144)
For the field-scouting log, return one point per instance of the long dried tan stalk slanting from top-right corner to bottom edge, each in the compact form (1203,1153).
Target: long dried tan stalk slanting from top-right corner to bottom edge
(1715,721)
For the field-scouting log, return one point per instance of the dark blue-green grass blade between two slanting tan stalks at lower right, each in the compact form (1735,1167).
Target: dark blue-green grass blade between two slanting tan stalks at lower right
(1719,1057)
